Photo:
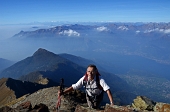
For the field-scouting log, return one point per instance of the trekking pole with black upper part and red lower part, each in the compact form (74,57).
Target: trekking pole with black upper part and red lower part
(59,97)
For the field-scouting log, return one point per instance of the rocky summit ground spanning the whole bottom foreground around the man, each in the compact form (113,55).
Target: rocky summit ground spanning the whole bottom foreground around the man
(44,100)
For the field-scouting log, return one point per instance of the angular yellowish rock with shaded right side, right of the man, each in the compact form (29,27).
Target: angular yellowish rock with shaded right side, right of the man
(143,103)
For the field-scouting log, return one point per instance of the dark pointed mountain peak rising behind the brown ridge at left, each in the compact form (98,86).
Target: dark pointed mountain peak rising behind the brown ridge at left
(41,60)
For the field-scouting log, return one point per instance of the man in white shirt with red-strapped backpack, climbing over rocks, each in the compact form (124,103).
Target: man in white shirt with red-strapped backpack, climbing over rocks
(94,87)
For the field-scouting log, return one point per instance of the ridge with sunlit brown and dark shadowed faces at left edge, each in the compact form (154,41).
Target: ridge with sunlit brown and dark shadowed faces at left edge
(12,89)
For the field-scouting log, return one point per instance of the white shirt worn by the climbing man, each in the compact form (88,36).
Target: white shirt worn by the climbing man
(91,85)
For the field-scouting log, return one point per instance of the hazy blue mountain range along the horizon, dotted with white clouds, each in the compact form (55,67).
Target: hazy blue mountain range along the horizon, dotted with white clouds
(78,30)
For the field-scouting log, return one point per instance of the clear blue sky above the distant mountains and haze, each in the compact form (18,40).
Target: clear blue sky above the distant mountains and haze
(27,11)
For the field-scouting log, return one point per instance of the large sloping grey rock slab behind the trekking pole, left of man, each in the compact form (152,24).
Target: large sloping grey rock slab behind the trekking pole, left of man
(48,97)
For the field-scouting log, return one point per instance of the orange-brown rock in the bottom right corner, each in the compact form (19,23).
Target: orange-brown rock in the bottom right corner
(162,107)
